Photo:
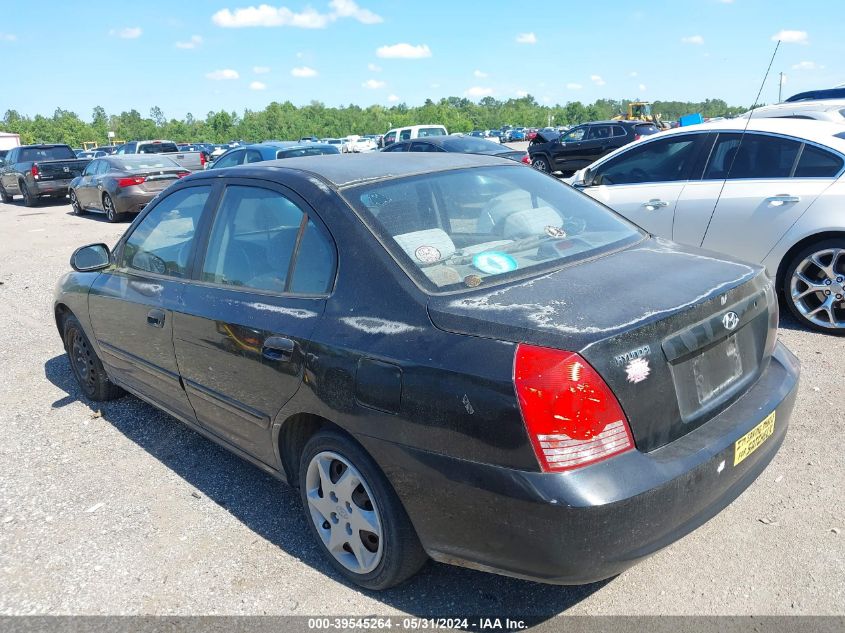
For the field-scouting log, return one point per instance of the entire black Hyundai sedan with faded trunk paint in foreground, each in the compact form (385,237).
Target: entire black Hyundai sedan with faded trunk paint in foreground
(451,356)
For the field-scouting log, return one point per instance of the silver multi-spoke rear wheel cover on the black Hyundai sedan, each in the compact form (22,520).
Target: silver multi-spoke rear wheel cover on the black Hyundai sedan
(344,512)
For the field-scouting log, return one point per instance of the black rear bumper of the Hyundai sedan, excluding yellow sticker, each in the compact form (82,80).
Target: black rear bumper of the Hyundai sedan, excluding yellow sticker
(593,523)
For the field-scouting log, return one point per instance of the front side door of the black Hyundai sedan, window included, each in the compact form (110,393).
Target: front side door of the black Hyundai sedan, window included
(131,305)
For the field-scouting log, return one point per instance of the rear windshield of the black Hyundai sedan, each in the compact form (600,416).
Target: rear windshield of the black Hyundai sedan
(458,229)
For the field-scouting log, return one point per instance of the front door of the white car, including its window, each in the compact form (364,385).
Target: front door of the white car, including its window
(645,182)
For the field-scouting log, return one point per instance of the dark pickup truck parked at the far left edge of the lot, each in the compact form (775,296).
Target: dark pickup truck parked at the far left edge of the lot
(35,171)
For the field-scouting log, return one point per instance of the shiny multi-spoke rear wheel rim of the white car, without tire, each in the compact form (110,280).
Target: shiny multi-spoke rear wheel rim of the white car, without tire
(817,288)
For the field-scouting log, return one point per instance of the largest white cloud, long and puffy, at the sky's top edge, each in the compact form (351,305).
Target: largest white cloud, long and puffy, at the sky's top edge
(308,18)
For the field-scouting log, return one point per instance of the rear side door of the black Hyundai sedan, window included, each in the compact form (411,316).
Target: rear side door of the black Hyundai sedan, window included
(243,328)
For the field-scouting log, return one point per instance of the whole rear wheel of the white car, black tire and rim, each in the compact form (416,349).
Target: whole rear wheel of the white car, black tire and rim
(814,286)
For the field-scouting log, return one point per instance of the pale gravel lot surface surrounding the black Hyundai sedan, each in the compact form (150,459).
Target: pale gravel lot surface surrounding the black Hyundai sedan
(120,509)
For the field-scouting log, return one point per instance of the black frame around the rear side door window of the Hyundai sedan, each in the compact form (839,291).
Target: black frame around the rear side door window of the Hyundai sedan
(308,213)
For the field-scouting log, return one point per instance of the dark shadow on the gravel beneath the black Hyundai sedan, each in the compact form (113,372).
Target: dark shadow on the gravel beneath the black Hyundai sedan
(273,511)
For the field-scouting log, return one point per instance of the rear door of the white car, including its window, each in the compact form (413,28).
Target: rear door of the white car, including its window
(772,182)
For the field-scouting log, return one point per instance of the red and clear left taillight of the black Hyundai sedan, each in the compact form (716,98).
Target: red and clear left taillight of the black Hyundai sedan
(572,416)
